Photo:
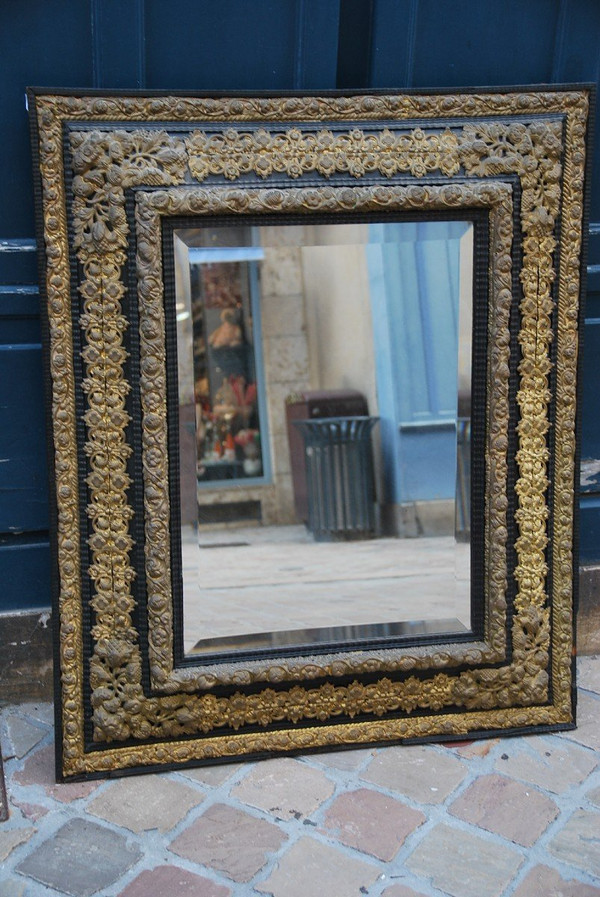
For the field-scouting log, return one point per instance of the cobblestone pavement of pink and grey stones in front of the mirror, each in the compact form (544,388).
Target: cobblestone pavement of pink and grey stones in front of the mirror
(516,817)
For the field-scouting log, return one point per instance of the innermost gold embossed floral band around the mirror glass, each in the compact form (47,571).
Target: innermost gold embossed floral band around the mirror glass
(151,208)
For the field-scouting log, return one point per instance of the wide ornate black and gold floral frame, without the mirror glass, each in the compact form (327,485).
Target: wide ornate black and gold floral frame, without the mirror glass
(112,170)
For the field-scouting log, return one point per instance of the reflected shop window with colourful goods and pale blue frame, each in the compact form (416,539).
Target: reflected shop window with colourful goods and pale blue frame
(222,381)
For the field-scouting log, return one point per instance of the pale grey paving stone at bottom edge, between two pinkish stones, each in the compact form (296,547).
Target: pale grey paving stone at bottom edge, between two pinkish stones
(312,869)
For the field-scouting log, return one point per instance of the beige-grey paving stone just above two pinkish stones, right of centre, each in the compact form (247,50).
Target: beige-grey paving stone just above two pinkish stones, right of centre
(422,773)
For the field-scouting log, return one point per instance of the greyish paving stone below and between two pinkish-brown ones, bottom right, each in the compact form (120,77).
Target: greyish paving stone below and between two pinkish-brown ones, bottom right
(462,864)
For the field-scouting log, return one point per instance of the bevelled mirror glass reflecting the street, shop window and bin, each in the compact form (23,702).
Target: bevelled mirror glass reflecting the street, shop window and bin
(324,376)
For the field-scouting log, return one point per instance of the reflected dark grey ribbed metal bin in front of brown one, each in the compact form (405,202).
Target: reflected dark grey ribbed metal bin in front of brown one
(339,477)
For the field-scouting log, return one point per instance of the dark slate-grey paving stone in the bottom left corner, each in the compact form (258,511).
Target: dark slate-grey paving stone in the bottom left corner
(80,859)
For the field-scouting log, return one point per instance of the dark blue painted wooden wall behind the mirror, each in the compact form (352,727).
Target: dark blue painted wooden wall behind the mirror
(234,44)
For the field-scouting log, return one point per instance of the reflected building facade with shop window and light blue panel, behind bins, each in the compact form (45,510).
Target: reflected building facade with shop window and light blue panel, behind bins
(264,313)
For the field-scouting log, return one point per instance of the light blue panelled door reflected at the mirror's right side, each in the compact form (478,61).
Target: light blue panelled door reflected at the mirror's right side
(414,281)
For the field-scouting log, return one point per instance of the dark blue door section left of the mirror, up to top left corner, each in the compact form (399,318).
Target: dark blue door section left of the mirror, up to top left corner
(45,42)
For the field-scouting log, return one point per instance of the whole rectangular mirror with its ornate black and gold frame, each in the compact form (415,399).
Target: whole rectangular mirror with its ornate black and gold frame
(312,374)
